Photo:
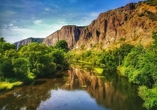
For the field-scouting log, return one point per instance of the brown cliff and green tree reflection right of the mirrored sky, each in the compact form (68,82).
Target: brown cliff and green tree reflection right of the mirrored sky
(111,91)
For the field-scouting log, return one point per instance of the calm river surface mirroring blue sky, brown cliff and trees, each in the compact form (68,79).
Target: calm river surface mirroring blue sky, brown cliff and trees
(80,90)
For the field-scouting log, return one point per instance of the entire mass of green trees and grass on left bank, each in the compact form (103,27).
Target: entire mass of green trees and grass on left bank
(29,62)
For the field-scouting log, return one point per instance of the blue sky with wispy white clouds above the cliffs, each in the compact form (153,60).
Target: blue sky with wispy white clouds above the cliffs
(21,19)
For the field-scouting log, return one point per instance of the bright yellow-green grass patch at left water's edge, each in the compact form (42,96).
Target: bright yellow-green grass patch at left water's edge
(8,85)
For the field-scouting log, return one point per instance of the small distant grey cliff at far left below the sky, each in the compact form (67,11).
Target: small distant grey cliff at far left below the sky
(28,41)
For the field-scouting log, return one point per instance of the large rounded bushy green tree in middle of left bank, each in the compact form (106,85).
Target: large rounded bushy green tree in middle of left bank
(39,59)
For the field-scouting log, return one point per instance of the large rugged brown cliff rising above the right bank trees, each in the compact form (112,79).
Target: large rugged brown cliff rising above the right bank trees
(133,23)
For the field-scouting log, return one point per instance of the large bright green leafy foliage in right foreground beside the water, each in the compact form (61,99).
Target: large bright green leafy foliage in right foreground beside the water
(140,68)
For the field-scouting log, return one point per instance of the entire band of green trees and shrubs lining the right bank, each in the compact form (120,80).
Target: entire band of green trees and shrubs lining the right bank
(137,63)
